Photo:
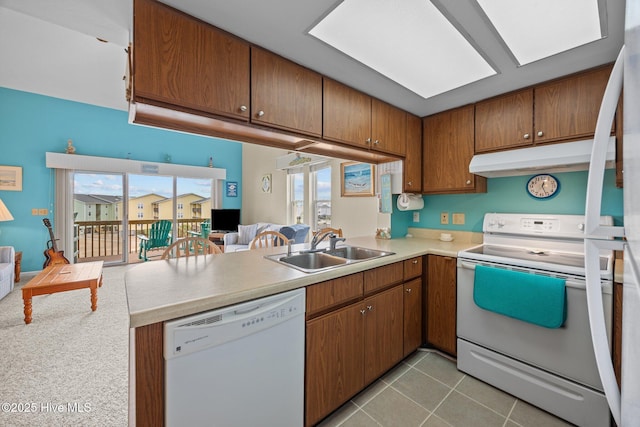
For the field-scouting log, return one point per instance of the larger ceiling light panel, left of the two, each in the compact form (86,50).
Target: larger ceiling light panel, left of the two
(408,41)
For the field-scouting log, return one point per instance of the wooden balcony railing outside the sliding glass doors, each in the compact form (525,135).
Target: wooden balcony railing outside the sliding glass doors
(104,239)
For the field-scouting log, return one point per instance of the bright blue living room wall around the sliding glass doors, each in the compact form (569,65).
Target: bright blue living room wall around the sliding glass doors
(31,125)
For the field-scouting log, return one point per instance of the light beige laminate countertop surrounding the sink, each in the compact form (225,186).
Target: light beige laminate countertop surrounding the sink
(168,289)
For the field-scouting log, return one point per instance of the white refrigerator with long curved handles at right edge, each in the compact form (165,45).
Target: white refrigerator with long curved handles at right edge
(625,402)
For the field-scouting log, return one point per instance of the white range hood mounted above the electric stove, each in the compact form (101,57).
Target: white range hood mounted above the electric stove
(563,157)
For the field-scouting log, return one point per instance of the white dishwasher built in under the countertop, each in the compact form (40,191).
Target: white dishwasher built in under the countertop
(237,366)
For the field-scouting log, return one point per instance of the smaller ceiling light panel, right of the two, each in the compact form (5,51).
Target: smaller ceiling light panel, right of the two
(536,29)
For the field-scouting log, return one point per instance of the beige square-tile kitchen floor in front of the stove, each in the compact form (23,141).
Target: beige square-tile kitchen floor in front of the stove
(427,390)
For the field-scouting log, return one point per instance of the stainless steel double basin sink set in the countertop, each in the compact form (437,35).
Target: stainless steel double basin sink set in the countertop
(313,261)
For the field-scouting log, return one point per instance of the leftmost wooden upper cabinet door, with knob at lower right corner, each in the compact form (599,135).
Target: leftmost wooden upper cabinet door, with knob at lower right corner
(181,61)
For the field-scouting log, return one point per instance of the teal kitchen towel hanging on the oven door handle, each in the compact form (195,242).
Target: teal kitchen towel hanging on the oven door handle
(529,297)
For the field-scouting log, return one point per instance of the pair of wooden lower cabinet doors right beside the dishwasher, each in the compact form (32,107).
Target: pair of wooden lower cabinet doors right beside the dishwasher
(349,348)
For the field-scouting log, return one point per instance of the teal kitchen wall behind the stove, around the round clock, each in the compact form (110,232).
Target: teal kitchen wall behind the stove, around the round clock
(509,195)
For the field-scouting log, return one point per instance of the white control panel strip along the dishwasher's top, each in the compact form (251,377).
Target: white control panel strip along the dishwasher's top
(194,333)
